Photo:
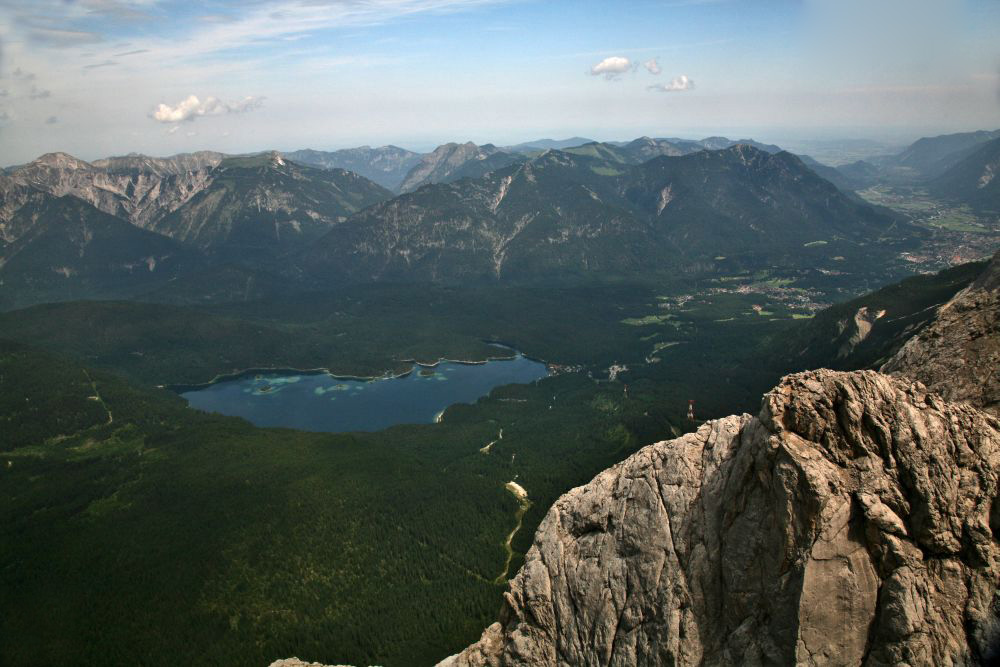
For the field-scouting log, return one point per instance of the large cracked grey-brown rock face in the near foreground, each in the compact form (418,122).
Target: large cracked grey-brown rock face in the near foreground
(855,521)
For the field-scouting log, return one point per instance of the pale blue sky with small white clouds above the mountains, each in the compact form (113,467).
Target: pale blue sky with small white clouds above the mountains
(107,77)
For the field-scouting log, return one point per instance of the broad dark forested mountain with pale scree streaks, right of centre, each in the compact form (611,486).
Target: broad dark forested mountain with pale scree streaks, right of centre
(565,214)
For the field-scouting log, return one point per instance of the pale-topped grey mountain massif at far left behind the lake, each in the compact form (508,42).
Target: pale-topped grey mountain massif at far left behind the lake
(123,226)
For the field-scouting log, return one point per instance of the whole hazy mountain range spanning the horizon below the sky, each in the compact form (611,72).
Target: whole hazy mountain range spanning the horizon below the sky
(595,211)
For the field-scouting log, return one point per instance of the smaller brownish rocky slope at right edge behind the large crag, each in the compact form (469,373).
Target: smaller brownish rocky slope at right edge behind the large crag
(958,355)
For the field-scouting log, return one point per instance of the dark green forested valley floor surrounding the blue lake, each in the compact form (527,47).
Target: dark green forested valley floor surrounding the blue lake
(165,536)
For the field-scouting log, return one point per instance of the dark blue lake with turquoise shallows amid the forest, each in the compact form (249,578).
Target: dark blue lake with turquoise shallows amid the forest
(322,402)
